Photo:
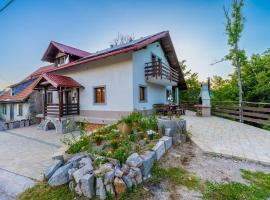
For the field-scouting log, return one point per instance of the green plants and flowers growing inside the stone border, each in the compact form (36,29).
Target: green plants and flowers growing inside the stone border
(134,133)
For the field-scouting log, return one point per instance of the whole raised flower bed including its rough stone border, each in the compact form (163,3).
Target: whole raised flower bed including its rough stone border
(114,158)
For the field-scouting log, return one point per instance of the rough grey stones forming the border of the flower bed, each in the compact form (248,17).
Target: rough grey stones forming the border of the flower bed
(111,177)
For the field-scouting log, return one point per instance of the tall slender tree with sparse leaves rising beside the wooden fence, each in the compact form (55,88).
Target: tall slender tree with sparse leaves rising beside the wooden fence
(234,28)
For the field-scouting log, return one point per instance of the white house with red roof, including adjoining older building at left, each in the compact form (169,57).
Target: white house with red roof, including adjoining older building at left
(98,87)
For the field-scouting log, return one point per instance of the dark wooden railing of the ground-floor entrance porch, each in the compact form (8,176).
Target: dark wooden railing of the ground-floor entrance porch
(65,109)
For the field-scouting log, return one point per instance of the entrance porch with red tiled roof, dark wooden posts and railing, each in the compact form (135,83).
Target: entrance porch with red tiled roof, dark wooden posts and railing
(52,82)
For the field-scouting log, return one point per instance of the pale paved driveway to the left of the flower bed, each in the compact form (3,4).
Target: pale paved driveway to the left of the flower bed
(25,153)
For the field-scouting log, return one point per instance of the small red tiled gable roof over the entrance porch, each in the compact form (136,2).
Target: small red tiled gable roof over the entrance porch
(59,81)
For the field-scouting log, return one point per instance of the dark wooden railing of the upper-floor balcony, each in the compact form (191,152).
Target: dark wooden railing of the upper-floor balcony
(160,70)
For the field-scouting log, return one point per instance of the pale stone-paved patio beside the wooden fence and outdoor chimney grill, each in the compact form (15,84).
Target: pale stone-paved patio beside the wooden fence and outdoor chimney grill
(229,138)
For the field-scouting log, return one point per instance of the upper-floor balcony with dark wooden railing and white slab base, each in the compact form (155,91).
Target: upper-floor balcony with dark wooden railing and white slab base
(159,73)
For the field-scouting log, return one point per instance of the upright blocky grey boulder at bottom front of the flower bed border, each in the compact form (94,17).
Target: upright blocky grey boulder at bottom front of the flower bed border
(87,185)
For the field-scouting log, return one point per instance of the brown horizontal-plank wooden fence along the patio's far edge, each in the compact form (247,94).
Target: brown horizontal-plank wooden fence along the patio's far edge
(253,112)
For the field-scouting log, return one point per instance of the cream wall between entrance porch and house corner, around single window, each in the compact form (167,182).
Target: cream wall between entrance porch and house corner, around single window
(115,73)
